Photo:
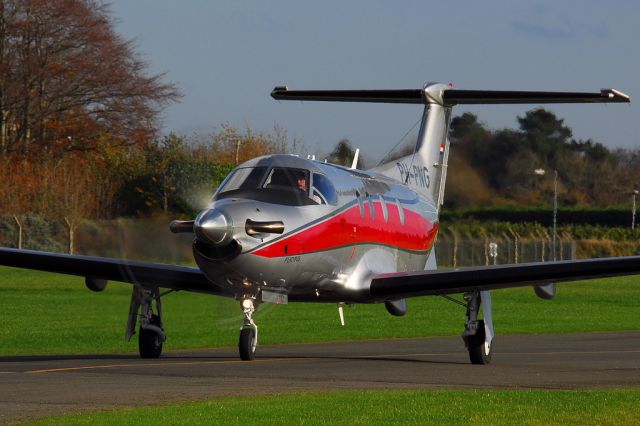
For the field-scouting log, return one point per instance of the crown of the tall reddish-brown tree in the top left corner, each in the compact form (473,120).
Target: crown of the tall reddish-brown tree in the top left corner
(66,79)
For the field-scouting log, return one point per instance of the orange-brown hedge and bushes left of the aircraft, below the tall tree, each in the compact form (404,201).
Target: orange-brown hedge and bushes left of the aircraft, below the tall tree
(174,175)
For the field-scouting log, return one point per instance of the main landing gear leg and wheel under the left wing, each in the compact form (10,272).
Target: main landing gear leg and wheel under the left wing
(151,334)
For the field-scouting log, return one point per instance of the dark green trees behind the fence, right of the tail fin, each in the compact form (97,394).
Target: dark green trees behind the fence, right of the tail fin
(498,167)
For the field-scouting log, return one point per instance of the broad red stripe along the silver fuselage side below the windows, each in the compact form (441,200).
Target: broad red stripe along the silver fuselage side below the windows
(349,227)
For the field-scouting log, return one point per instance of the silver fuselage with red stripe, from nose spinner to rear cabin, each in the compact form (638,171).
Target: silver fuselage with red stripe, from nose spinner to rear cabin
(311,230)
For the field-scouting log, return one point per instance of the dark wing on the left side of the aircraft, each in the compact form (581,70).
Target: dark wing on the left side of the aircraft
(147,274)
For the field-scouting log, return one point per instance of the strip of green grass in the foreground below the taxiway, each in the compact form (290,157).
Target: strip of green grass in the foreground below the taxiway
(387,407)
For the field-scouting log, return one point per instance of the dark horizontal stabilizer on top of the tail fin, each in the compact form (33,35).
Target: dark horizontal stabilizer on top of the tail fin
(442,94)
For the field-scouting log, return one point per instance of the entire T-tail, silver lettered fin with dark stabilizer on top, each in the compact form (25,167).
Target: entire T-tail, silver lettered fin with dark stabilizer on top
(425,170)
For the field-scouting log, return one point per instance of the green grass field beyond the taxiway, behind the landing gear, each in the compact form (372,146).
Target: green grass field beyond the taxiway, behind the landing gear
(43,313)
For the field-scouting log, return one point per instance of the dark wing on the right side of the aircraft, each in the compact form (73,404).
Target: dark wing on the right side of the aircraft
(449,281)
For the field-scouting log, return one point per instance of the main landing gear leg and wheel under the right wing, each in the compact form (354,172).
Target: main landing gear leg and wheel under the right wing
(478,334)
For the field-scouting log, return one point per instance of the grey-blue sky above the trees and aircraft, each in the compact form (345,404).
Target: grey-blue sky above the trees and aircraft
(227,56)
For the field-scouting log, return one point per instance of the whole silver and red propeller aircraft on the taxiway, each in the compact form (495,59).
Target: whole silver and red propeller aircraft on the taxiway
(281,229)
